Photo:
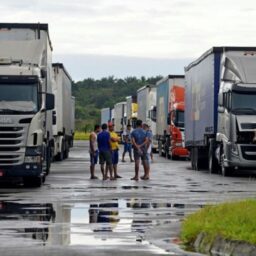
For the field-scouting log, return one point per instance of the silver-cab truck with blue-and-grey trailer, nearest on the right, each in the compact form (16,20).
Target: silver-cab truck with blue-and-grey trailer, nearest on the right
(220,116)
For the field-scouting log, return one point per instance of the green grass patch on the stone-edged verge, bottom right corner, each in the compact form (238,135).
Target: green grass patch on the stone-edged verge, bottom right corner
(234,221)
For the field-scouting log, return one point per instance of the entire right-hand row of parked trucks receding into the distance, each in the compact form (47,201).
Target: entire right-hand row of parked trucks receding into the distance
(207,115)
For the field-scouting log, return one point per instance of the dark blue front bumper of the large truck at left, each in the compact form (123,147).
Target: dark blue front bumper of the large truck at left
(24,170)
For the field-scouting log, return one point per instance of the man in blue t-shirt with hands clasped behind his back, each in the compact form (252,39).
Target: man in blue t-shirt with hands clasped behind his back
(139,141)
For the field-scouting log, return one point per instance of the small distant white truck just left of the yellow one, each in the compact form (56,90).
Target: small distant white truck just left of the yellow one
(120,117)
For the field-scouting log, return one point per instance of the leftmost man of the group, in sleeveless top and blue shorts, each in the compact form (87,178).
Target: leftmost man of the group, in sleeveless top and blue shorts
(93,150)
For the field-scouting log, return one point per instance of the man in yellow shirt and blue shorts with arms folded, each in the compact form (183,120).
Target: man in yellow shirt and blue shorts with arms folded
(114,148)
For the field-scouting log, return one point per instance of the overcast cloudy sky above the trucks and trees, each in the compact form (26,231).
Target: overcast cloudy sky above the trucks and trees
(96,38)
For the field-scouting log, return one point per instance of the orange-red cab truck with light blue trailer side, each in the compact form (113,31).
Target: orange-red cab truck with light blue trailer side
(170,117)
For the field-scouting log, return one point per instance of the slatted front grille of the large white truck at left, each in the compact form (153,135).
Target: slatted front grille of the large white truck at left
(11,142)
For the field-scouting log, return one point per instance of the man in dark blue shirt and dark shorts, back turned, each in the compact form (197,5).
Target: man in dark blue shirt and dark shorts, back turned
(104,146)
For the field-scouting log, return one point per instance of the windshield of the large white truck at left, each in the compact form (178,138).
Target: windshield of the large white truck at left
(18,98)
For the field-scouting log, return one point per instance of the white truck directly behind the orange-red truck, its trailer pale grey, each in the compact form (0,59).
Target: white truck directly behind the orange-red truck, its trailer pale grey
(146,98)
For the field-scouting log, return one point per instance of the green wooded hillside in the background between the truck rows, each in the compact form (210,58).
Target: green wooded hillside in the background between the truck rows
(93,95)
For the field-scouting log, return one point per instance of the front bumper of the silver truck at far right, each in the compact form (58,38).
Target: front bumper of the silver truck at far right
(243,158)
